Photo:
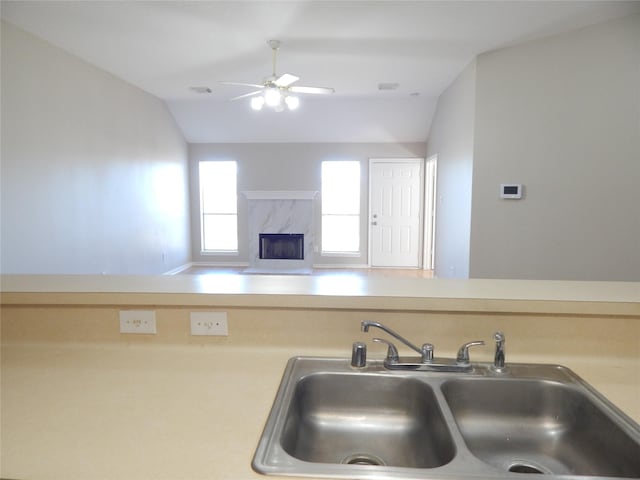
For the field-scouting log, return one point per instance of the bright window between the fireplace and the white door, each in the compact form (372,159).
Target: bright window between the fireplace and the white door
(340,207)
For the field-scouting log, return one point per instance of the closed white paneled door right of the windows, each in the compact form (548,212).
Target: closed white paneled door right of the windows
(395,212)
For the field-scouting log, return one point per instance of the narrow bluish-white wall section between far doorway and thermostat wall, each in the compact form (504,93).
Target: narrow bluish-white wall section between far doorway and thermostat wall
(451,138)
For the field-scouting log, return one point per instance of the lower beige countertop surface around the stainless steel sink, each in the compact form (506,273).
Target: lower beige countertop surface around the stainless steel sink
(171,412)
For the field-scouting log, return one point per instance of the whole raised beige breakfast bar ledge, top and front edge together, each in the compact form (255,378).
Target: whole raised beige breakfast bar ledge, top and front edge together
(612,298)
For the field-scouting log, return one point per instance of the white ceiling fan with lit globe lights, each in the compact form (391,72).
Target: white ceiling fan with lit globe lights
(277,91)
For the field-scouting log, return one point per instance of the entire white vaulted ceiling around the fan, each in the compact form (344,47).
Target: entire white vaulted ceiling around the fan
(165,47)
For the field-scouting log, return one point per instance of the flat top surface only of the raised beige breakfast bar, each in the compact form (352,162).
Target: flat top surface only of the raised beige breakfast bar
(330,285)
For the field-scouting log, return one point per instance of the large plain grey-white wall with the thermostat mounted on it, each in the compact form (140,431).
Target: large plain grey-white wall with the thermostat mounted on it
(562,116)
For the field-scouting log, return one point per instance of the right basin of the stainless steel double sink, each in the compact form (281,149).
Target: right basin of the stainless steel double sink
(538,426)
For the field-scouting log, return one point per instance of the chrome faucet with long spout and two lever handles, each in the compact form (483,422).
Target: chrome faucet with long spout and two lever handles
(427,361)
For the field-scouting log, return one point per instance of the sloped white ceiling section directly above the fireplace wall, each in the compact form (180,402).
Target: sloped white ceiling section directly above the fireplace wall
(320,119)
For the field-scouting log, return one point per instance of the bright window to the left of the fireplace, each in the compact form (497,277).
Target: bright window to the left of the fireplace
(218,206)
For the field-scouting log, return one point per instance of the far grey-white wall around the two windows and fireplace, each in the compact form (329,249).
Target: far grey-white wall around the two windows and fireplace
(288,166)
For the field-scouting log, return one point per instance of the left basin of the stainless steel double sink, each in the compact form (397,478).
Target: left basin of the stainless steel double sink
(366,420)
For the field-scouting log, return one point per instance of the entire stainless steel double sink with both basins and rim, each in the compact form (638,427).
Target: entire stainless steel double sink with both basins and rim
(332,420)
